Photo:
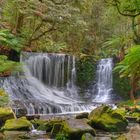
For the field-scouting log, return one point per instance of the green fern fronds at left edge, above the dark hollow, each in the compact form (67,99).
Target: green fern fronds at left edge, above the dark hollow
(10,40)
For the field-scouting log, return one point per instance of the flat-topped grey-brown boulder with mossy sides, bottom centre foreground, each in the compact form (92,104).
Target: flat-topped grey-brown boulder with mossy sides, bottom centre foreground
(75,128)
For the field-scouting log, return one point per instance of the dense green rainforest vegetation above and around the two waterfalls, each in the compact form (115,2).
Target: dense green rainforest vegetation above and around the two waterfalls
(90,30)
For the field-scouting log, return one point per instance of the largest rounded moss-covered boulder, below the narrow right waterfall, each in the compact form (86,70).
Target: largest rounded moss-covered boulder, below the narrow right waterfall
(107,119)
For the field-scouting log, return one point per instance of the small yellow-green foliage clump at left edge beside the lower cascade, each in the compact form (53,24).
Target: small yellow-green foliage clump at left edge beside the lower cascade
(4,98)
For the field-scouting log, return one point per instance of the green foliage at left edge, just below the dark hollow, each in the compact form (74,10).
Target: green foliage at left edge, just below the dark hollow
(7,65)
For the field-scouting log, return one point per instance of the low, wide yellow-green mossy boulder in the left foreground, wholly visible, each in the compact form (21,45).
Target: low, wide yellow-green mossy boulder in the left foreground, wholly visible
(17,124)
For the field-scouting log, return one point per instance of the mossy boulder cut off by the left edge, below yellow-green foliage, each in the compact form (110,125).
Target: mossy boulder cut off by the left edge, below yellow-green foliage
(5,114)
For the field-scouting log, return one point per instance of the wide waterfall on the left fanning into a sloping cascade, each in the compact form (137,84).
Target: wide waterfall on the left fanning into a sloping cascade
(47,85)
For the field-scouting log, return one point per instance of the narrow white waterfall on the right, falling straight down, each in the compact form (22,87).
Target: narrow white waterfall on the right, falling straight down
(104,80)
